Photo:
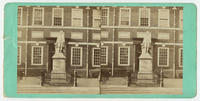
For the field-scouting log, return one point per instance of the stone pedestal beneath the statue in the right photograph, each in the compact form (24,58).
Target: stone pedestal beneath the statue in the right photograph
(145,74)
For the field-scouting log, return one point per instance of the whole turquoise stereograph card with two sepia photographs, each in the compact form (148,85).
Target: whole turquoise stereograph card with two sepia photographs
(132,50)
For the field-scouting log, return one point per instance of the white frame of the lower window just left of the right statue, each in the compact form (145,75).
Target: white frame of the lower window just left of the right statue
(119,56)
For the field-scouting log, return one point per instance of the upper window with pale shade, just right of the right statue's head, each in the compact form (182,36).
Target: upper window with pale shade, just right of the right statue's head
(163,19)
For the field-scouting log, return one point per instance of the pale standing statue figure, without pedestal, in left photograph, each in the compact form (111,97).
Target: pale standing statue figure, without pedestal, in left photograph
(60,41)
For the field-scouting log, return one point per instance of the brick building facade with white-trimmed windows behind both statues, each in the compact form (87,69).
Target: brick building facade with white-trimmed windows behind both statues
(100,38)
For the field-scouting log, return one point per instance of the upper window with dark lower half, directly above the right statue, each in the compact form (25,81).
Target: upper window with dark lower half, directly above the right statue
(144,16)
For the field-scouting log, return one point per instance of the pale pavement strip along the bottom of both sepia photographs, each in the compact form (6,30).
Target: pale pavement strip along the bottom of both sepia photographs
(32,85)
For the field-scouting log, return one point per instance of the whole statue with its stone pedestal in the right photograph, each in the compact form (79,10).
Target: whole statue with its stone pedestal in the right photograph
(145,74)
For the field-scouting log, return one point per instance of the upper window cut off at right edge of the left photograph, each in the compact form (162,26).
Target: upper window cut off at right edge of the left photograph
(96,18)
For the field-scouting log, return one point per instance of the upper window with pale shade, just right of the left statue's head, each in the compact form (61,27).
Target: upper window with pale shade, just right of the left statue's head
(77,17)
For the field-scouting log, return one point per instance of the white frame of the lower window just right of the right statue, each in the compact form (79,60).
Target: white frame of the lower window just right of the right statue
(159,57)
